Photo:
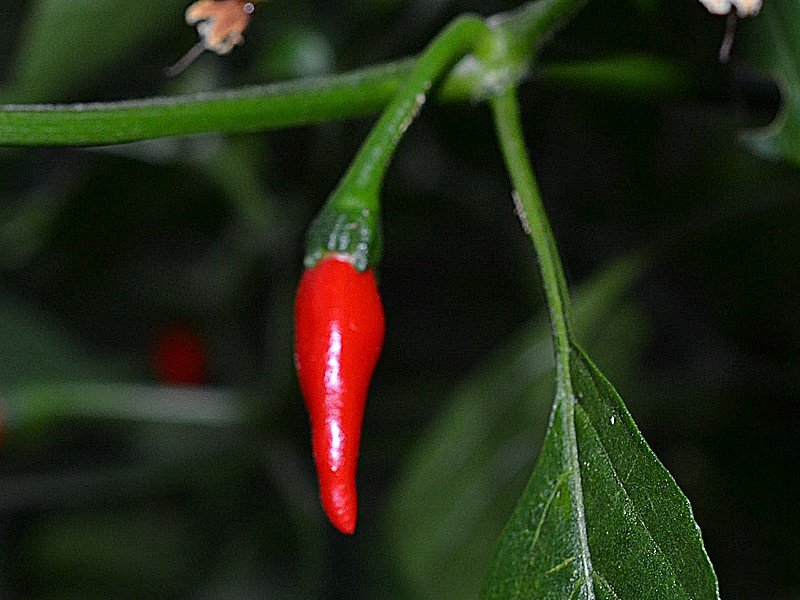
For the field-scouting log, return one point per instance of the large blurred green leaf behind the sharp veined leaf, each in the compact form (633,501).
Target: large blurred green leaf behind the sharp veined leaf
(465,475)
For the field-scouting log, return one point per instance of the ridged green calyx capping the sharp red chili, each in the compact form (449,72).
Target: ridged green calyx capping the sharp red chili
(353,231)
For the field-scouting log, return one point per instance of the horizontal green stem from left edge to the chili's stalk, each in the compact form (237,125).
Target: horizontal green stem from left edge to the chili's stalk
(256,108)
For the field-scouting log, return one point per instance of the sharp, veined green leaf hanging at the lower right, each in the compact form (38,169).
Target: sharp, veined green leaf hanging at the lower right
(618,528)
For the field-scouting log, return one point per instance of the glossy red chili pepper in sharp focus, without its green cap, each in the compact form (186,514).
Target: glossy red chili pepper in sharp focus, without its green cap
(339,329)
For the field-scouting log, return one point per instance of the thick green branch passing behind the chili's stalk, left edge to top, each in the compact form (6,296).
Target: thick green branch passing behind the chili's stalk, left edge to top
(306,102)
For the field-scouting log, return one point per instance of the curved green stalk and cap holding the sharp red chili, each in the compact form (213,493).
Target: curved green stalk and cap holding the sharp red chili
(349,223)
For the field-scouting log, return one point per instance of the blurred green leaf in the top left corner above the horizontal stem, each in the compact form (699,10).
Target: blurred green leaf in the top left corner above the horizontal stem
(67,44)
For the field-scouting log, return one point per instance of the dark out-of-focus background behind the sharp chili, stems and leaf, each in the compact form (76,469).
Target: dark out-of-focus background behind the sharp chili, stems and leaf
(122,264)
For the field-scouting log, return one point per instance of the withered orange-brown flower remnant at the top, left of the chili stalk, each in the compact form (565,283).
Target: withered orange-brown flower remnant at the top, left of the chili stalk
(220,24)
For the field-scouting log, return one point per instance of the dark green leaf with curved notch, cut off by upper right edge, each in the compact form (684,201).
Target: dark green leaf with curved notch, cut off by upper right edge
(772,42)
